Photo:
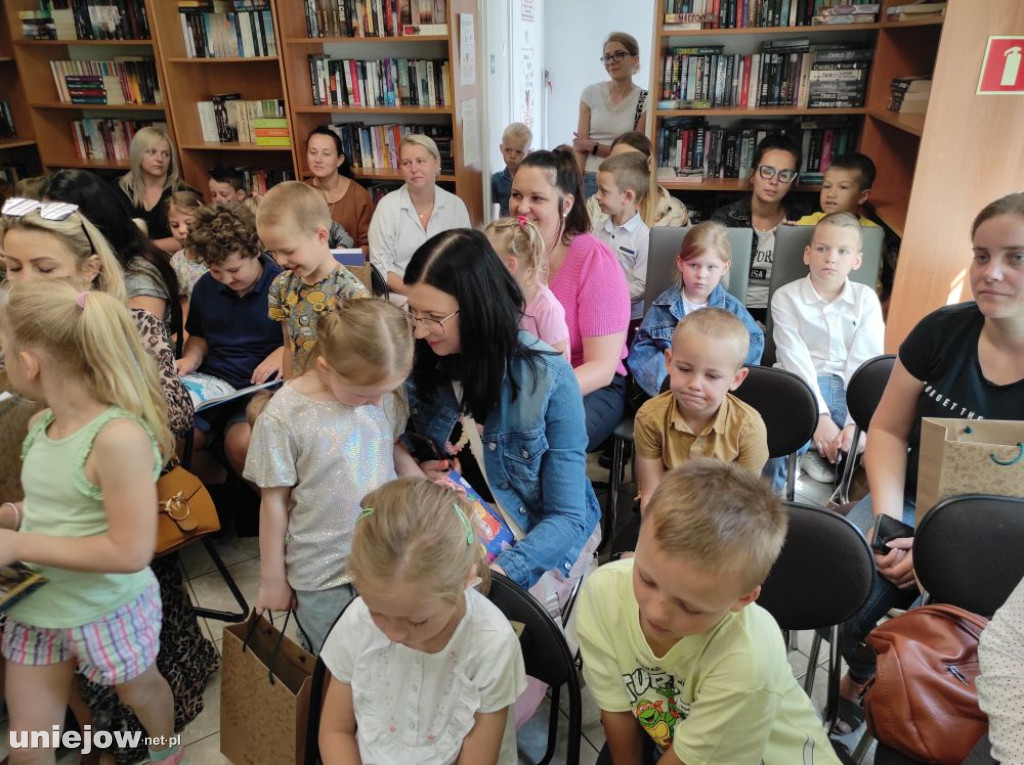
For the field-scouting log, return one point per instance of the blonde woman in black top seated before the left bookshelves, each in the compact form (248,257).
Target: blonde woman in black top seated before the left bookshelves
(154,178)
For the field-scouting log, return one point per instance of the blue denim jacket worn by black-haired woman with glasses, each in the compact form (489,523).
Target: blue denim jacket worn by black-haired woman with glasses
(536,461)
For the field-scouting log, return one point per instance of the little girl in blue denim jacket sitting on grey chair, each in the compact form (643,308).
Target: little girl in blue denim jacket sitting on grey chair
(704,262)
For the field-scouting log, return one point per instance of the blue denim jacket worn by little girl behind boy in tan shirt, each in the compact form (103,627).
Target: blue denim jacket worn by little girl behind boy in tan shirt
(647,360)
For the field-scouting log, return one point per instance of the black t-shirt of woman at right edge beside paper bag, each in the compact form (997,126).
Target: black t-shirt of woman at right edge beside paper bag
(943,353)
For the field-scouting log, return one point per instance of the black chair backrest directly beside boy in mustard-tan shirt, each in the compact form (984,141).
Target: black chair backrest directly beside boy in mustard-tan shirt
(786,404)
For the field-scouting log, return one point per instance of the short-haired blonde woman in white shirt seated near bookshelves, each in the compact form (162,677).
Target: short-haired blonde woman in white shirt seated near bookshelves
(409,217)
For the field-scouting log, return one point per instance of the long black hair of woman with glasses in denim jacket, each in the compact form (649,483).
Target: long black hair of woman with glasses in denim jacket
(461,263)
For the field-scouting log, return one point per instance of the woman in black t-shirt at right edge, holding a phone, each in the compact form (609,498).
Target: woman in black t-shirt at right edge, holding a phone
(972,358)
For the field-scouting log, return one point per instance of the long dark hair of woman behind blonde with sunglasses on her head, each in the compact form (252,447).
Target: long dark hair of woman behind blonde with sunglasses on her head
(101,203)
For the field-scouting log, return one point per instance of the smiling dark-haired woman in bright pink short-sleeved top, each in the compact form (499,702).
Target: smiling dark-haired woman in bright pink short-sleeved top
(587,280)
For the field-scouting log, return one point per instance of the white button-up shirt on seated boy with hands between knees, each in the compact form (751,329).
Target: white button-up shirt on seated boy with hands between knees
(815,336)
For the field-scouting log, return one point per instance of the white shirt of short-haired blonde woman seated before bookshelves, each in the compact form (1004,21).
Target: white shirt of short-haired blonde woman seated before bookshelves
(396,231)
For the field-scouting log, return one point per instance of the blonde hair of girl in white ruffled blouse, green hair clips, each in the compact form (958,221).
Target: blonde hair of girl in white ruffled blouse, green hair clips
(416,532)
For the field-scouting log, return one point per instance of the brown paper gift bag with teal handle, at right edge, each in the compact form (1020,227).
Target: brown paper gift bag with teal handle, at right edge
(969,457)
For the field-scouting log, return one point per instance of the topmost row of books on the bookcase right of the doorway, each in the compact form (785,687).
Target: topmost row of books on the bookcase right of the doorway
(696,15)
